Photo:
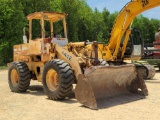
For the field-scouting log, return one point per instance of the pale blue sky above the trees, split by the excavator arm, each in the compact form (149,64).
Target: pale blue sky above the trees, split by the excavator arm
(117,5)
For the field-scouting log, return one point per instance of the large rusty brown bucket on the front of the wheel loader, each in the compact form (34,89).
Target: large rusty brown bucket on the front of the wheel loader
(102,83)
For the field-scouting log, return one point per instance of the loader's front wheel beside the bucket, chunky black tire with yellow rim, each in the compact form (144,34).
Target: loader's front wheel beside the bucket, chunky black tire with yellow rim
(57,79)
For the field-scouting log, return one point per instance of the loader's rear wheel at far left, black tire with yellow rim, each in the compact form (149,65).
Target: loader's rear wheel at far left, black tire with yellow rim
(19,77)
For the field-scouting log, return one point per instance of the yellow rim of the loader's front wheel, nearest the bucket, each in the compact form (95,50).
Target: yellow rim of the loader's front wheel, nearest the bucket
(52,80)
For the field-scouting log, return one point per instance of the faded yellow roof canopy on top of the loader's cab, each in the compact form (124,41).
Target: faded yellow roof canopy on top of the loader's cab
(51,16)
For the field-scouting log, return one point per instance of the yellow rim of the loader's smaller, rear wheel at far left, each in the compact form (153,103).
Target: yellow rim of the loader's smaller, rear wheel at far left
(14,77)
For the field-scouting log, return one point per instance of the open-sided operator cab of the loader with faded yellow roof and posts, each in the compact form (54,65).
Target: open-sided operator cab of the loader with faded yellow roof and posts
(51,20)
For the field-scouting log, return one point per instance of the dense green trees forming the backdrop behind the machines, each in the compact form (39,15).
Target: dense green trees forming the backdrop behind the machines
(83,23)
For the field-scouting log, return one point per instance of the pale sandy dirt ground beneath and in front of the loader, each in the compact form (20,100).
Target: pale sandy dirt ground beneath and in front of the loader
(34,105)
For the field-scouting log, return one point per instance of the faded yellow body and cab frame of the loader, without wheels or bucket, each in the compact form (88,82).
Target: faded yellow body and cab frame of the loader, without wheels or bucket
(37,52)
